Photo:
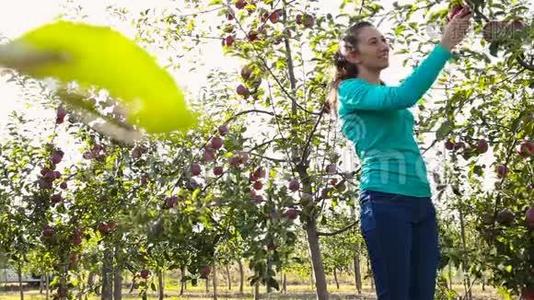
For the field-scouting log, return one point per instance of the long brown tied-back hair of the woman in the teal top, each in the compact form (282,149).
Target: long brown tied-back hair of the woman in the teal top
(343,68)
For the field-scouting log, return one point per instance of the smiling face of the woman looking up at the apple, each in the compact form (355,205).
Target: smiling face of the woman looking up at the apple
(373,50)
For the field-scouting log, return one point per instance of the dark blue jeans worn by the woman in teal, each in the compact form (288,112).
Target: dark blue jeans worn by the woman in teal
(401,235)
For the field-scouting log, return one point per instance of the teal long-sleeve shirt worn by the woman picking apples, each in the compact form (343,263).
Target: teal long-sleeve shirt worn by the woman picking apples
(376,119)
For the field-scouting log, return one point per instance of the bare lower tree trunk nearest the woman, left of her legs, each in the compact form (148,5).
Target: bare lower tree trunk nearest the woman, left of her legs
(317,263)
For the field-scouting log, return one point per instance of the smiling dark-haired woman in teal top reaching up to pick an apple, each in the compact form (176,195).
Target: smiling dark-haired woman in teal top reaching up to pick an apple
(398,219)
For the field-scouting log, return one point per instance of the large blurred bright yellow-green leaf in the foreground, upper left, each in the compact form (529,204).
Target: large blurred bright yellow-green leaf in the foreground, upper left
(101,57)
